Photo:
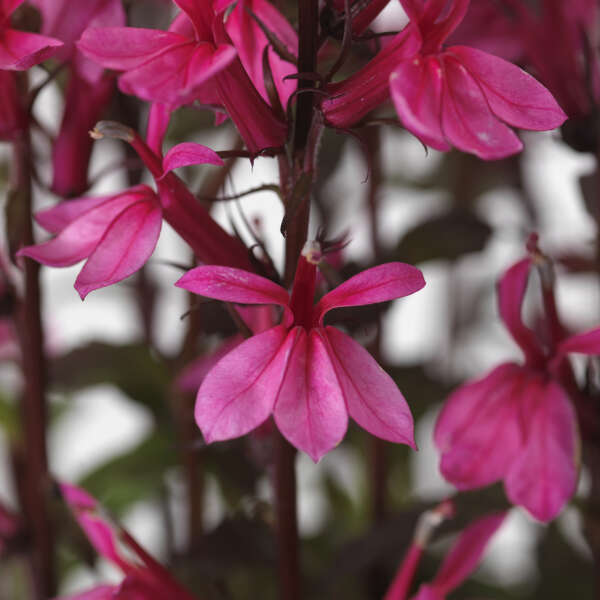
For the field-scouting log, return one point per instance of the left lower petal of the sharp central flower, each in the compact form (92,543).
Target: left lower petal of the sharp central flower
(240,391)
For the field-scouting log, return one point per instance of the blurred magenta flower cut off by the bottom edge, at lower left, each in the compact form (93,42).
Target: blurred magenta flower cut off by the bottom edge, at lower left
(145,578)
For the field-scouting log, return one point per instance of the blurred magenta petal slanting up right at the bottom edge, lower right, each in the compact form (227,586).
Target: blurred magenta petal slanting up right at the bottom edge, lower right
(466,553)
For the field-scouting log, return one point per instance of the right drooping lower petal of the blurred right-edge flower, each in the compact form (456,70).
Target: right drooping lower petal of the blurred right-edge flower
(544,476)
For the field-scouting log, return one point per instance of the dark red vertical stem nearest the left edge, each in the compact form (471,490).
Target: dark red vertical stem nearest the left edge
(33,405)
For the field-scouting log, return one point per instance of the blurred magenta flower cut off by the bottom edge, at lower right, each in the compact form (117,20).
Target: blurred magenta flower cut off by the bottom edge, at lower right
(462,559)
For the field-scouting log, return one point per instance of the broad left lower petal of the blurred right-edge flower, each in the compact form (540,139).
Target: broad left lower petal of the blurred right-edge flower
(479,432)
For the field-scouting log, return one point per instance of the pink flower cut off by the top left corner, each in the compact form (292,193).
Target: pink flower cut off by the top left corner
(20,50)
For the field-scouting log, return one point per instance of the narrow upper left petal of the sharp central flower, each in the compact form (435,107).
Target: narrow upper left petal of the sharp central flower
(233,285)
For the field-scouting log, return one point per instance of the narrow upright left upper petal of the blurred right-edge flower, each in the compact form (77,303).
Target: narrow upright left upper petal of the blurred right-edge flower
(511,291)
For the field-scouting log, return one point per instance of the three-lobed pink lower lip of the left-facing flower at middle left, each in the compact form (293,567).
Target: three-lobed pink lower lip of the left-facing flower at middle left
(116,234)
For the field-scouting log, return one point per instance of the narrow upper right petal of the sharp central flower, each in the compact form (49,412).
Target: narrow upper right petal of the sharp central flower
(378,284)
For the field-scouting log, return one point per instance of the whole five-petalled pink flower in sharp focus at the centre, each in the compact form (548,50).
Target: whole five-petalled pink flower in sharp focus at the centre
(311,377)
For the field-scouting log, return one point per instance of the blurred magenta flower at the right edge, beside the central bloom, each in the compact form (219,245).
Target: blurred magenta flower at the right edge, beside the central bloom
(518,423)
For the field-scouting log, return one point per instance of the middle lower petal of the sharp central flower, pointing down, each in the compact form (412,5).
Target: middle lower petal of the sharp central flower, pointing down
(310,410)
